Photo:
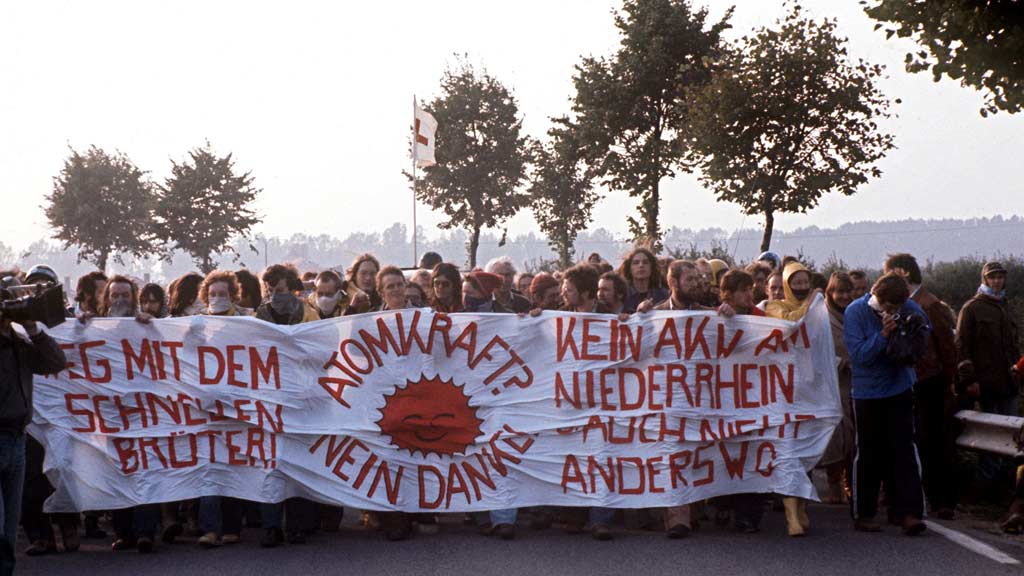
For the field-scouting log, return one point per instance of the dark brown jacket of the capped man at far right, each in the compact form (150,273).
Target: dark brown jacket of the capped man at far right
(987,335)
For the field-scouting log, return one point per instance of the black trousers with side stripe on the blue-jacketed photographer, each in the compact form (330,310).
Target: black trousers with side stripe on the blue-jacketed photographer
(886,454)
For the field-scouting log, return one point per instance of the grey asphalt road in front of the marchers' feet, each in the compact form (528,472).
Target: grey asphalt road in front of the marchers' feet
(832,549)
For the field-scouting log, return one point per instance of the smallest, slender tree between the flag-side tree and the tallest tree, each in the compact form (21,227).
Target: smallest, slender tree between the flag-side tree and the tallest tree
(562,192)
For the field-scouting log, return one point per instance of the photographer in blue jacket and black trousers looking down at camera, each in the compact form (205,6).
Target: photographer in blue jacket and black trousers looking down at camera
(886,334)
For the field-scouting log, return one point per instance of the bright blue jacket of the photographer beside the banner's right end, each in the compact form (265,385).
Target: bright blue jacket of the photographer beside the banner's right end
(874,375)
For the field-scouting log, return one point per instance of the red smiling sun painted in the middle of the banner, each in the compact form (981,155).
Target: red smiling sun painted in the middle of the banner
(431,416)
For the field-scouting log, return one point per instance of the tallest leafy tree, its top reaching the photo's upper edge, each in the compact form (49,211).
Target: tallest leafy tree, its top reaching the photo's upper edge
(629,107)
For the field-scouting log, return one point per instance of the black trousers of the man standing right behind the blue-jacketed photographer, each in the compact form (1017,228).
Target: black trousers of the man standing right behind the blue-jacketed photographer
(933,421)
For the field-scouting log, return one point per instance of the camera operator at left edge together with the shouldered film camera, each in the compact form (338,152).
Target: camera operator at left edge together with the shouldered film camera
(25,350)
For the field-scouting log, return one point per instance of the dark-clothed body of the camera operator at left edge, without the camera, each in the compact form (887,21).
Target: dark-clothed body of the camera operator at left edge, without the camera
(25,350)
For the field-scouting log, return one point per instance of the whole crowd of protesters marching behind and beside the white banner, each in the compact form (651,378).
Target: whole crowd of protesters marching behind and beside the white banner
(906,363)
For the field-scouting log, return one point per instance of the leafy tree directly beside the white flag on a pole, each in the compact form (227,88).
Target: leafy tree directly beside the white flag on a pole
(482,157)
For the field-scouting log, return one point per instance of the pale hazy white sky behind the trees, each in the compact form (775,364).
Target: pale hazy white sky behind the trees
(316,99)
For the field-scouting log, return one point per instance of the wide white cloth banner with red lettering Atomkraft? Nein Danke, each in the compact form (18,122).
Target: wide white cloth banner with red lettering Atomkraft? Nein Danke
(412,410)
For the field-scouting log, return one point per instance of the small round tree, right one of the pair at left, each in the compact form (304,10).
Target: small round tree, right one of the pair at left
(204,205)
